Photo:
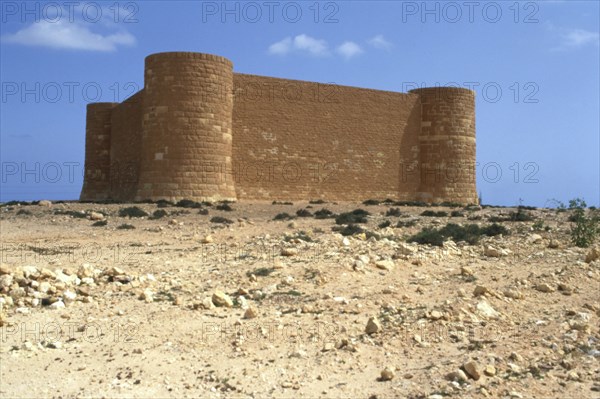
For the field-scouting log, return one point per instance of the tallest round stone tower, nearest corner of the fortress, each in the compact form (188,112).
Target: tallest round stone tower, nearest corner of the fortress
(187,120)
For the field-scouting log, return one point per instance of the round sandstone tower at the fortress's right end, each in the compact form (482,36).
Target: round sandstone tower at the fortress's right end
(447,145)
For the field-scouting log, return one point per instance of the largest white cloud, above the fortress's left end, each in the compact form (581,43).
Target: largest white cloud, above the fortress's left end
(68,35)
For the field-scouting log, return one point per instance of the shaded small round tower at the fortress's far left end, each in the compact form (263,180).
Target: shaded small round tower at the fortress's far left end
(96,182)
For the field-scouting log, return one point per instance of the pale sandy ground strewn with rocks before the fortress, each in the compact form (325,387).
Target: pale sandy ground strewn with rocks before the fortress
(221,300)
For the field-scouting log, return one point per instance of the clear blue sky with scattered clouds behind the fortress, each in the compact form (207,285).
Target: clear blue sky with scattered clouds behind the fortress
(534,67)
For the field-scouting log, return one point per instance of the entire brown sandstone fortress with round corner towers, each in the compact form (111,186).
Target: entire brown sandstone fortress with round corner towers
(199,131)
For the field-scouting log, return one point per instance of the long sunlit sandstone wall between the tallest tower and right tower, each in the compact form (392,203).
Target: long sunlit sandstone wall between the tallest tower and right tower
(304,140)
